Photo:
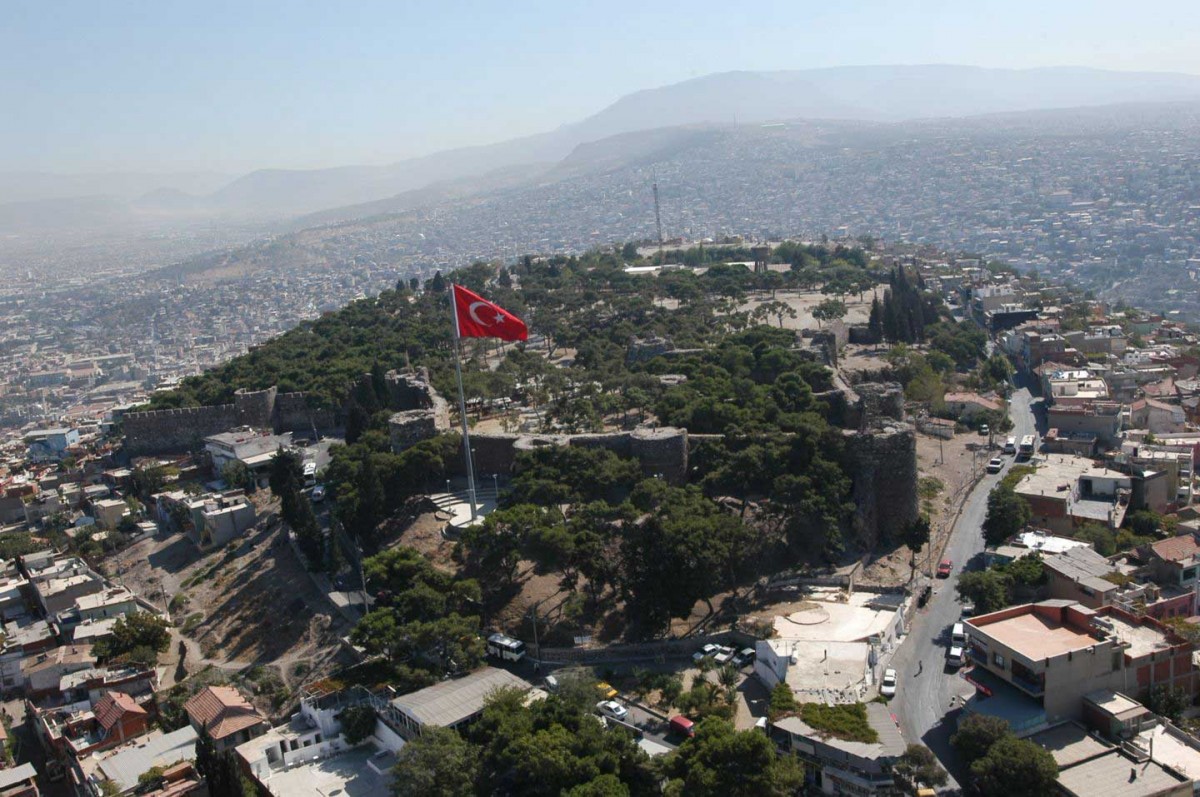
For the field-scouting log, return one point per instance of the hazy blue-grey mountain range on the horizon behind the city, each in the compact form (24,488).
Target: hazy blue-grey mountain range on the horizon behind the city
(865,94)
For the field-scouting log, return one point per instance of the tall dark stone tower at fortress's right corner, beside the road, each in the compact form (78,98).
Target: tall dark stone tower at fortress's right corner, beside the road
(883,463)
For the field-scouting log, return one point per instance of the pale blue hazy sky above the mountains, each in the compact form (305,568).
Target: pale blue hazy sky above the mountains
(215,86)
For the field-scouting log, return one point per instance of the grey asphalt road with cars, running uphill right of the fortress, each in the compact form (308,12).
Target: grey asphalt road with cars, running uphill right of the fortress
(928,690)
